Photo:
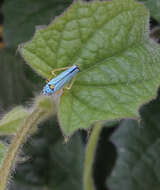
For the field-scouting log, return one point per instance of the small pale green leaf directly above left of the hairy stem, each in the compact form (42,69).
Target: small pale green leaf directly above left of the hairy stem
(13,120)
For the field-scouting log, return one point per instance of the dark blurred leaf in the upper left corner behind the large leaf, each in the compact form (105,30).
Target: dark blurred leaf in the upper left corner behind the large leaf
(25,15)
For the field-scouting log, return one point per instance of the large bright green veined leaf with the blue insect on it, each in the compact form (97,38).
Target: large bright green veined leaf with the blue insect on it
(119,64)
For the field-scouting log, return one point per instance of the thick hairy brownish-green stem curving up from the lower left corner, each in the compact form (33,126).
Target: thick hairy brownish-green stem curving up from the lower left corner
(24,131)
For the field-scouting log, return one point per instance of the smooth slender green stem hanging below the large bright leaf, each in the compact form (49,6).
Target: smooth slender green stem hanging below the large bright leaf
(89,157)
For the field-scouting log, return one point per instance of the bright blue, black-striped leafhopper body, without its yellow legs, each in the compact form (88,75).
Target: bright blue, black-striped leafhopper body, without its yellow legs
(58,82)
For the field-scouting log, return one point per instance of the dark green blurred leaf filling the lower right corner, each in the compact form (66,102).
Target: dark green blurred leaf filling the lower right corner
(138,147)
